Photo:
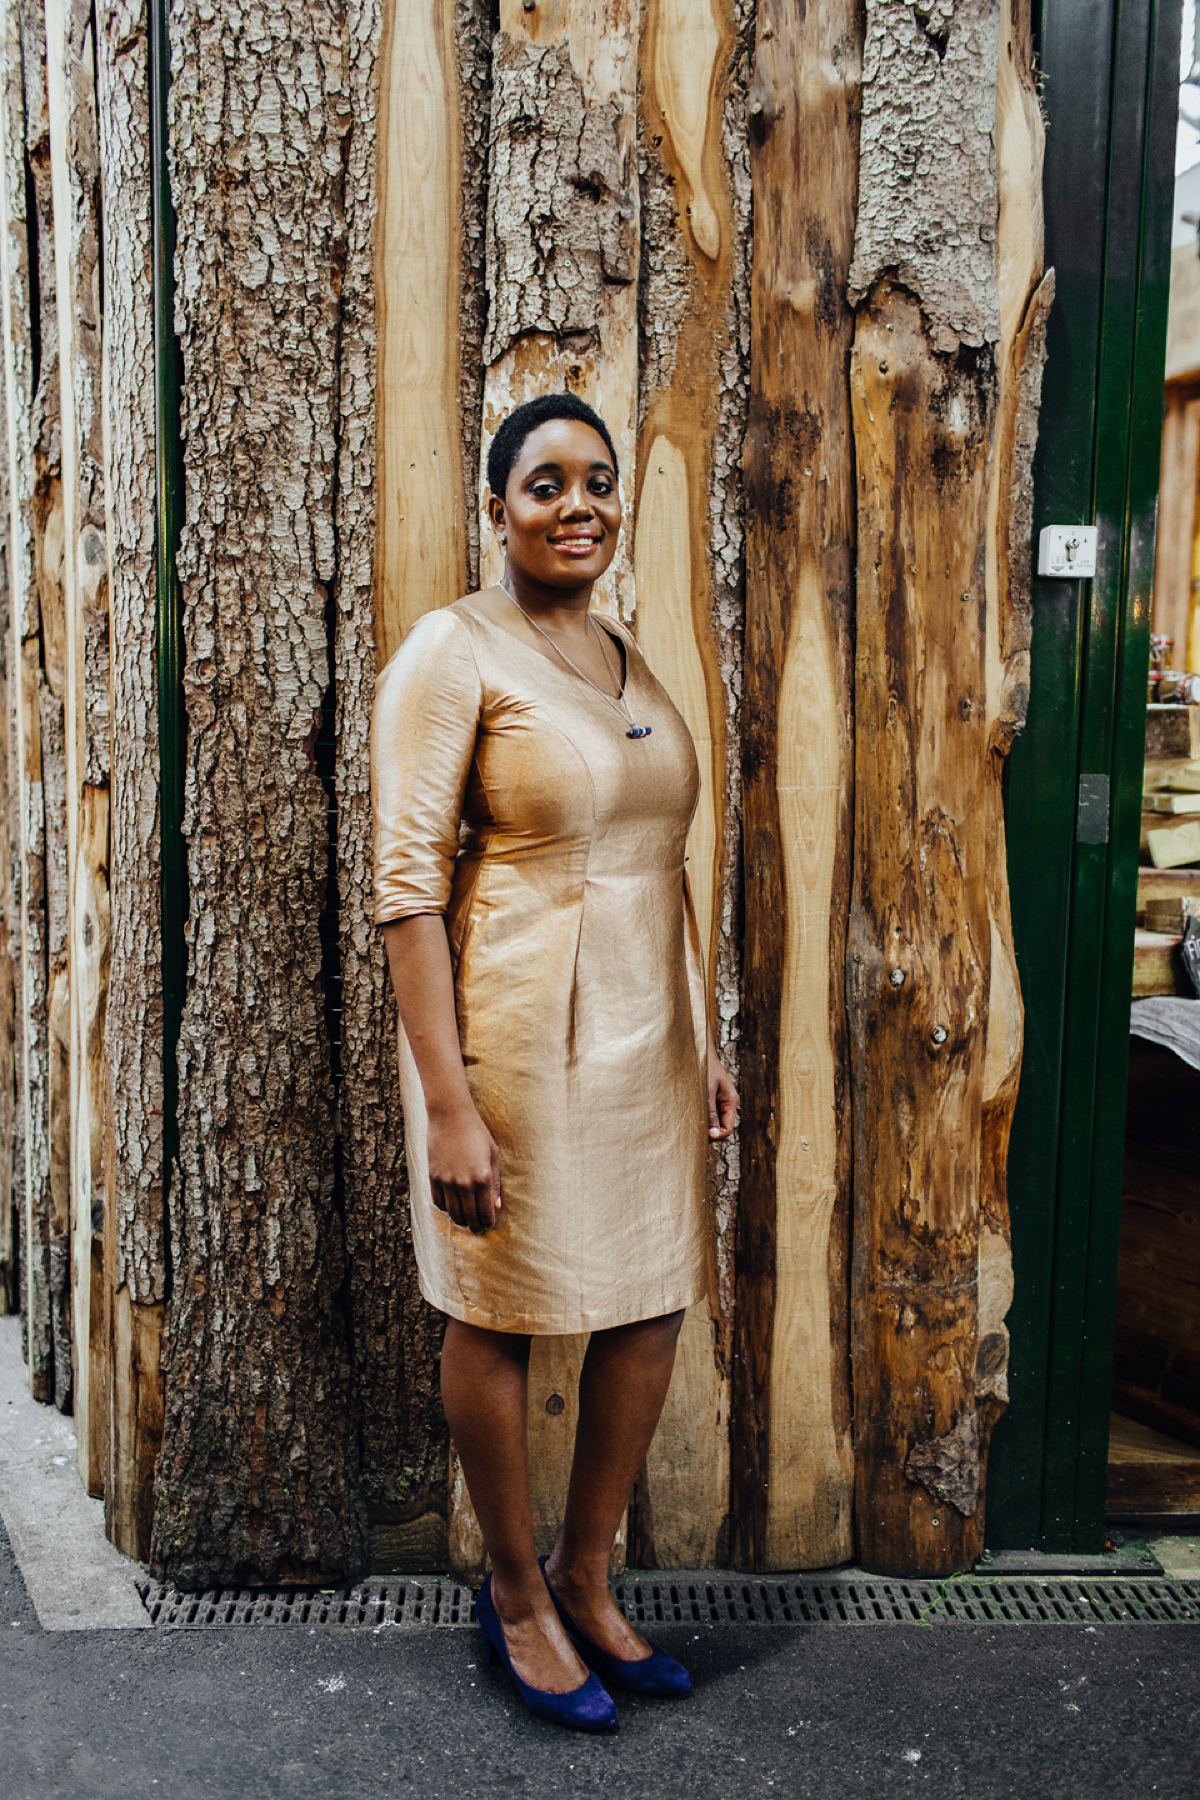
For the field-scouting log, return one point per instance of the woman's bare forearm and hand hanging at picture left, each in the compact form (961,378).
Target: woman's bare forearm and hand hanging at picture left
(465,1165)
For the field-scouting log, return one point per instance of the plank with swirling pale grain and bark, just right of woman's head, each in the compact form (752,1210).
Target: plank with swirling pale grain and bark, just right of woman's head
(690,539)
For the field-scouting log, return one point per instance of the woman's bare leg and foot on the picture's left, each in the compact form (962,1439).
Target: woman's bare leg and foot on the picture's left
(485,1381)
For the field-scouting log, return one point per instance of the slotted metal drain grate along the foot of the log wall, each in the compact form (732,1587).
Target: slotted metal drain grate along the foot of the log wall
(710,1599)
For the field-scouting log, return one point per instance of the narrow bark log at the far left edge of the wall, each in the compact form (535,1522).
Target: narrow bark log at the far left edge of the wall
(22,372)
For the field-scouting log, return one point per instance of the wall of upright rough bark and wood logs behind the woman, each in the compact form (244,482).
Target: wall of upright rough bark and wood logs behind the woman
(404,219)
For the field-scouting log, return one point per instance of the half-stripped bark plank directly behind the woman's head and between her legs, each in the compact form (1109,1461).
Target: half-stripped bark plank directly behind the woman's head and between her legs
(564,82)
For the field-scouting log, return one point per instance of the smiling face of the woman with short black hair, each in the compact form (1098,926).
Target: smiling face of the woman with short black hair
(560,514)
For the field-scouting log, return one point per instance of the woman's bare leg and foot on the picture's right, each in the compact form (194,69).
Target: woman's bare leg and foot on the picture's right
(625,1381)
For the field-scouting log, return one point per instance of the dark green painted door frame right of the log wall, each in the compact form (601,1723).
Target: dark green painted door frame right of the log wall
(1111,100)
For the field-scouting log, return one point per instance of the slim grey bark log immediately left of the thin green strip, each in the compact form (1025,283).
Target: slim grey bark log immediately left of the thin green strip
(134,1239)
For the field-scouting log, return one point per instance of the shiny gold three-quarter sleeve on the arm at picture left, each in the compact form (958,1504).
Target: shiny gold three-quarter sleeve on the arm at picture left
(424,732)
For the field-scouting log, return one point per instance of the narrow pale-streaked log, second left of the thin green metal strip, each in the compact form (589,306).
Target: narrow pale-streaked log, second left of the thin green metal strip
(75,166)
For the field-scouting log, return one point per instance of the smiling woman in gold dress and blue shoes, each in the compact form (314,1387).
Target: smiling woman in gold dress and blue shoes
(533,789)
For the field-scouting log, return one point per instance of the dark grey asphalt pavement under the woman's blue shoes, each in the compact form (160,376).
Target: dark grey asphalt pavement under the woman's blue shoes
(1041,1713)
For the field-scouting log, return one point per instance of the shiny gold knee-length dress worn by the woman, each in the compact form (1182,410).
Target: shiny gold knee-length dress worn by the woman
(510,800)
